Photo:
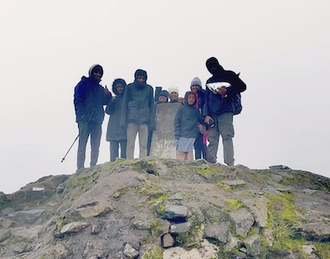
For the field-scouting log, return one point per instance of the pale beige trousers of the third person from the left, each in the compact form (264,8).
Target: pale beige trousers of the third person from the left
(132,130)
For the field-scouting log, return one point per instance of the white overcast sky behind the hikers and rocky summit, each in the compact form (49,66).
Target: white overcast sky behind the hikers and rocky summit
(281,48)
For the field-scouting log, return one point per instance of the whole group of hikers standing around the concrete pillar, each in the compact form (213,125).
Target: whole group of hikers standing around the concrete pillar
(203,116)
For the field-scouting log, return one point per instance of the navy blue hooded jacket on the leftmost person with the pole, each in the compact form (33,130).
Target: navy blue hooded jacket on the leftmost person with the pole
(89,98)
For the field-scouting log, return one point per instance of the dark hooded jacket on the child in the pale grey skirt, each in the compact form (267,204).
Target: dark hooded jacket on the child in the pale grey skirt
(187,119)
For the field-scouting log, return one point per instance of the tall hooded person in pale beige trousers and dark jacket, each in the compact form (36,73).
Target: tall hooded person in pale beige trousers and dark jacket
(137,110)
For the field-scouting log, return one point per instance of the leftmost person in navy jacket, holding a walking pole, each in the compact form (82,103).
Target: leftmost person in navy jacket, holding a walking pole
(89,99)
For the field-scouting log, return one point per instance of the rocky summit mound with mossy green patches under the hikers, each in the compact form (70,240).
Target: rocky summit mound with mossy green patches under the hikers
(164,208)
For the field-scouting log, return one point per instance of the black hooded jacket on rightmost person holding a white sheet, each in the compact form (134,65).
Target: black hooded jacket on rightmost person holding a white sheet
(215,104)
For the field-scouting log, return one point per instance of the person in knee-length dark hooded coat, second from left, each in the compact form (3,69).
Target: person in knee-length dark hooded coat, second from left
(116,135)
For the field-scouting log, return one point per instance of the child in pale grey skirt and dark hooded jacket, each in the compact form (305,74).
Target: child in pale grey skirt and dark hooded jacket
(186,127)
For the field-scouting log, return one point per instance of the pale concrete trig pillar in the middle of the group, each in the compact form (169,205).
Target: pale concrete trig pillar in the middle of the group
(163,140)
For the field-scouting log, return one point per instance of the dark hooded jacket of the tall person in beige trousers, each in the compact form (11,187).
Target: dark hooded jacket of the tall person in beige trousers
(138,102)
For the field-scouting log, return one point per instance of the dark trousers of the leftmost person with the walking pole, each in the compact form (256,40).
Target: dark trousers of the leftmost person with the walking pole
(86,130)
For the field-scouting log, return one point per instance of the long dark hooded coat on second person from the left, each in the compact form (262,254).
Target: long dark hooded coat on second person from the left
(114,131)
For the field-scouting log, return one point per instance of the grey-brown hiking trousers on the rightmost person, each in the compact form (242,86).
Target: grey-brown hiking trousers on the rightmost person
(223,127)
